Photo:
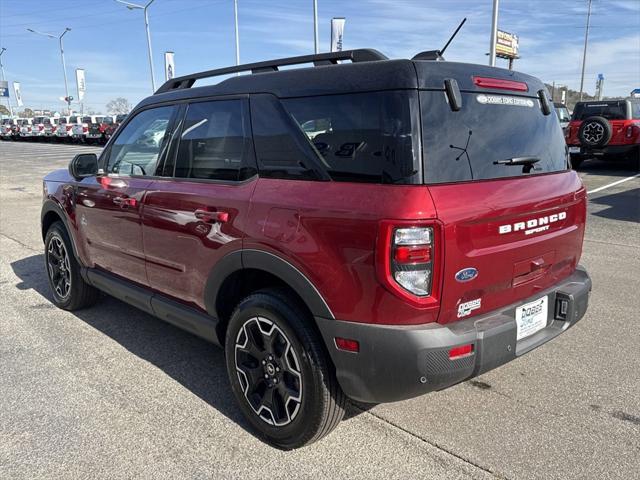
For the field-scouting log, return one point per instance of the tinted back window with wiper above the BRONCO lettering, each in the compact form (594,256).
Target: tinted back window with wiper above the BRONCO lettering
(465,145)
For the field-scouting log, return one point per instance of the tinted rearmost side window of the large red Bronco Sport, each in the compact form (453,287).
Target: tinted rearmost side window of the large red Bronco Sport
(365,137)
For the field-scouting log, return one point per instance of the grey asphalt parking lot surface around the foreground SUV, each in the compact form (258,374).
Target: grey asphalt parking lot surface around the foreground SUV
(111,392)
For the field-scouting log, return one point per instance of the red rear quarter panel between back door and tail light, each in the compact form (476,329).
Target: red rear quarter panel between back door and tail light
(328,230)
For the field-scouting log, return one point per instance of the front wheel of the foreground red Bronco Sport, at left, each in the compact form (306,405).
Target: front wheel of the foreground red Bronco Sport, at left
(68,288)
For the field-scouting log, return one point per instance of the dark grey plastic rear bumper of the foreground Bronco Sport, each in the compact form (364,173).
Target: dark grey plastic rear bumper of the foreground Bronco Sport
(400,362)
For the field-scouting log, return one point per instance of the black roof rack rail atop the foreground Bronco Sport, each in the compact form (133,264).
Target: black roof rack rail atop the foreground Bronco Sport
(356,56)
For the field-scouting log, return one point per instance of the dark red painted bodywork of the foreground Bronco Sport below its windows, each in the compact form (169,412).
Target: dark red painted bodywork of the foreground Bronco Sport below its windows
(337,234)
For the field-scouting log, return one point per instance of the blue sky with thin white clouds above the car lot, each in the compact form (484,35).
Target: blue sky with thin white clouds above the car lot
(108,40)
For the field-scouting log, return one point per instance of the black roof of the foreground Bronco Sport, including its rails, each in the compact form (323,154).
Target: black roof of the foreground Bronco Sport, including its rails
(368,70)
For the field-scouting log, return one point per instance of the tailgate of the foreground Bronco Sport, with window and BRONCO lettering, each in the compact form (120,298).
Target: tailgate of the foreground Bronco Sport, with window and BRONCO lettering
(513,229)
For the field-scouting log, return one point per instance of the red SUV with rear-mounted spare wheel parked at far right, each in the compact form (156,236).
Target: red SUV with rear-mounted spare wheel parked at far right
(605,129)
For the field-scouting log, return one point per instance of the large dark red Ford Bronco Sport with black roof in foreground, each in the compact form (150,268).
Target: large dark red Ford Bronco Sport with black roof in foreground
(366,228)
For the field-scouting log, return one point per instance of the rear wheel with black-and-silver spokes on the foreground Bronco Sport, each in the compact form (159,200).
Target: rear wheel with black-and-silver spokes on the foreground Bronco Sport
(294,360)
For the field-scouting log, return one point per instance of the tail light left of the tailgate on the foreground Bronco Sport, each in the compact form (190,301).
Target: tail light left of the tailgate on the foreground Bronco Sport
(407,261)
